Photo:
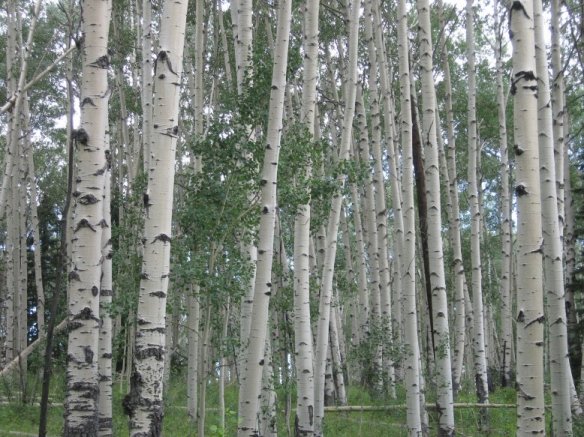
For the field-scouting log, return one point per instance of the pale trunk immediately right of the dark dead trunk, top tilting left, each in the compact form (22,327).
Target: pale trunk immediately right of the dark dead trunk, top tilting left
(443,376)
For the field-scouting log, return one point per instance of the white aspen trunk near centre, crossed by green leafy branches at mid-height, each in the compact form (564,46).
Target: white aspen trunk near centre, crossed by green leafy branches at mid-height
(304,425)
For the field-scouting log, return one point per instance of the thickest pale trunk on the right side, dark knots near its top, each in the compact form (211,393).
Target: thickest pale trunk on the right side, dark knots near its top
(530,314)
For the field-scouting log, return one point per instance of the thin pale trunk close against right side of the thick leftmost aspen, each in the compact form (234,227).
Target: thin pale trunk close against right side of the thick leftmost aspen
(105,301)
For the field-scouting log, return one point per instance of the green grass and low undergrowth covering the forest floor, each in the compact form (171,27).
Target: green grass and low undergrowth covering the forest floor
(24,418)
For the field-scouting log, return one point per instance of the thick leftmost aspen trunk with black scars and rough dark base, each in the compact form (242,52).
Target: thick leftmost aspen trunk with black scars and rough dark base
(81,409)
